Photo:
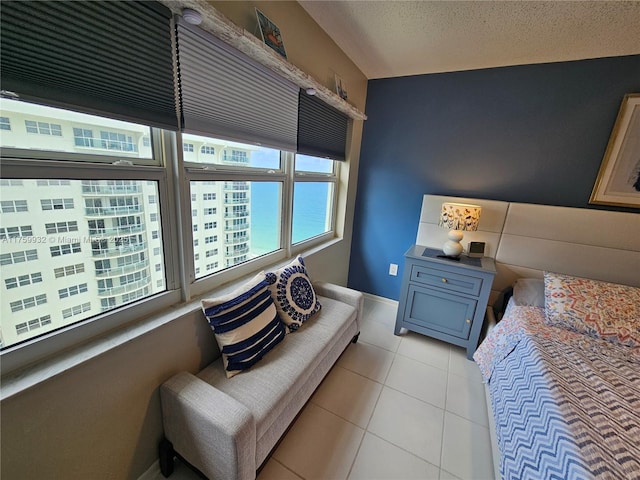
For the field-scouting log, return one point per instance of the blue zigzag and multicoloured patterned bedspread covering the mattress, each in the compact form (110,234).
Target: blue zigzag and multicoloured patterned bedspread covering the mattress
(566,405)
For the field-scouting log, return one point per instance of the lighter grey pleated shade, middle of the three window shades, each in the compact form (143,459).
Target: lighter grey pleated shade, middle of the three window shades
(226,94)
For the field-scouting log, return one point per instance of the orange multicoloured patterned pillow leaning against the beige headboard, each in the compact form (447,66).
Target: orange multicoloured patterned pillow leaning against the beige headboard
(600,309)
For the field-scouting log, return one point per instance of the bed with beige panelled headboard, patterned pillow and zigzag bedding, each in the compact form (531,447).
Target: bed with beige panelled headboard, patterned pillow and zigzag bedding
(563,387)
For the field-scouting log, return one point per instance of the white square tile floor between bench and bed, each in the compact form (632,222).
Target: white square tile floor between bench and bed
(393,407)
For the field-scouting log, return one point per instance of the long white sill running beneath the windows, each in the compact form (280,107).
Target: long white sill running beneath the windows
(18,381)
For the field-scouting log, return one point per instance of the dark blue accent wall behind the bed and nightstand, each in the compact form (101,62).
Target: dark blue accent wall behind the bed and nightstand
(532,134)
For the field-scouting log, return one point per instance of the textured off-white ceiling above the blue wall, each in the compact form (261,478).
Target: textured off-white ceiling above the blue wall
(398,38)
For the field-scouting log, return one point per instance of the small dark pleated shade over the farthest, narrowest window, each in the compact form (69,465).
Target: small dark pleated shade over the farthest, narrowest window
(322,130)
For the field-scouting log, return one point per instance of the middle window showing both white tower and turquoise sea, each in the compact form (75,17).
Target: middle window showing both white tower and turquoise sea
(239,201)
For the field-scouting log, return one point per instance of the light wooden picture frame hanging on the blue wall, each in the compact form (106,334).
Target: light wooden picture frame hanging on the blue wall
(618,180)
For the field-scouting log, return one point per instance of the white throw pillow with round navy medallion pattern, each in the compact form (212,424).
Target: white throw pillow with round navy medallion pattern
(293,294)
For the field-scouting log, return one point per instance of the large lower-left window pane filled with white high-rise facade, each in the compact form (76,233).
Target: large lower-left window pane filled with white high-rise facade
(109,239)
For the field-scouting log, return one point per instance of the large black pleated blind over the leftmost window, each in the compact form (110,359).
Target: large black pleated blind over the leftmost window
(109,58)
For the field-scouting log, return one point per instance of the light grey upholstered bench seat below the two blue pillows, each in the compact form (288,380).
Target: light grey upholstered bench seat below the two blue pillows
(267,388)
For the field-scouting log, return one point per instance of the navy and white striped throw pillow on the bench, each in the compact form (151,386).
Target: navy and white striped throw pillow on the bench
(245,323)
